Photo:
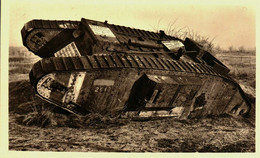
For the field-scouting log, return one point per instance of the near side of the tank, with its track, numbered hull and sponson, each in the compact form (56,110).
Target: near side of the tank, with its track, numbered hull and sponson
(137,86)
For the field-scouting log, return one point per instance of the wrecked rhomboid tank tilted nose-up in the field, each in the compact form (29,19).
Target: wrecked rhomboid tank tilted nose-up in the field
(91,66)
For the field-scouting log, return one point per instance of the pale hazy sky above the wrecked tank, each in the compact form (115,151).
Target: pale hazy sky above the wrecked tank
(229,25)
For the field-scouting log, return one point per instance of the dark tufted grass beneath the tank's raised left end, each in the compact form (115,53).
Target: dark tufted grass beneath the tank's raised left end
(46,116)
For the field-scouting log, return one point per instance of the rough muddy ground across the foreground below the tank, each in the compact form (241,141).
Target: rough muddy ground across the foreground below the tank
(219,134)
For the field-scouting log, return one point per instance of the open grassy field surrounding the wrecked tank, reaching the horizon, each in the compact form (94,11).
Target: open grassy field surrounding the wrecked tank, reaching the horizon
(35,125)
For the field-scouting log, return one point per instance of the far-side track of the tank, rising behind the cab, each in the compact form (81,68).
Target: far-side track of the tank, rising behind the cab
(47,27)
